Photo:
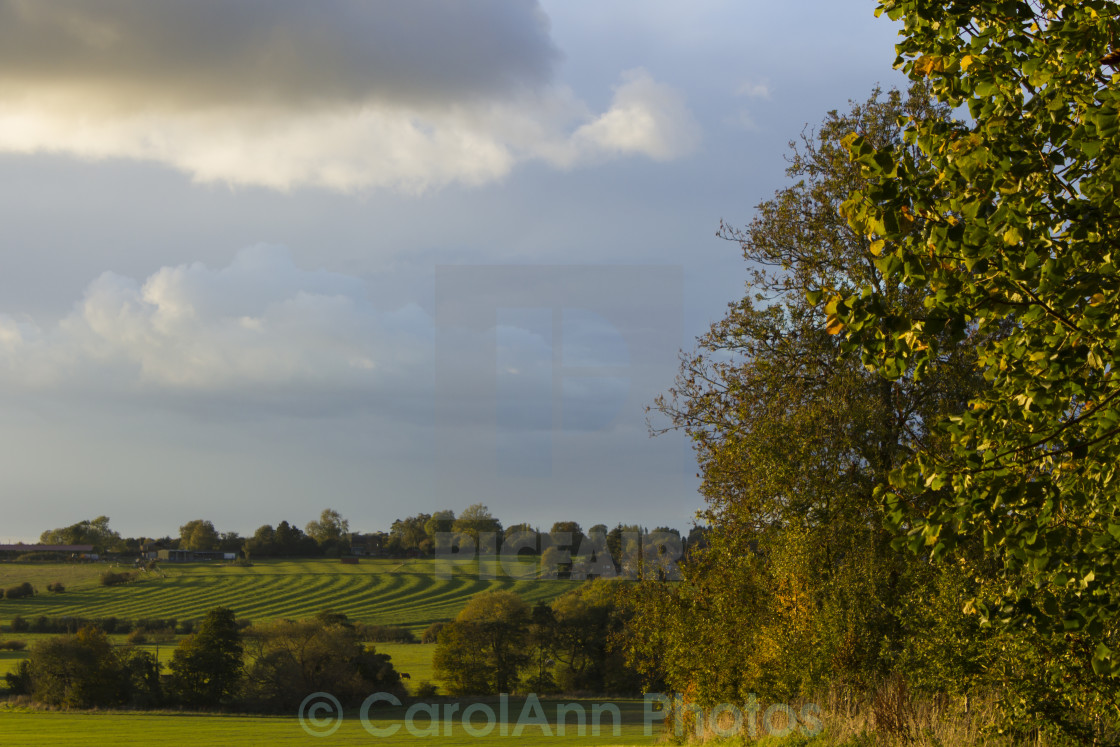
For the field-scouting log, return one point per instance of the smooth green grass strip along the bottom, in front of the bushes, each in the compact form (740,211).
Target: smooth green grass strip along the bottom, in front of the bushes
(63,730)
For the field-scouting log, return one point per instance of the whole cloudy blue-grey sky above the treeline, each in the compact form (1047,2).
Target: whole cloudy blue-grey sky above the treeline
(266,258)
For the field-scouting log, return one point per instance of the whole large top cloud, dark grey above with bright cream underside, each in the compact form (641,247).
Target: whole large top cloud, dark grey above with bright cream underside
(341,95)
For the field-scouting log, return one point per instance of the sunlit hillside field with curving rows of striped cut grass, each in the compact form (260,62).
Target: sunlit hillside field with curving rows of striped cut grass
(381,592)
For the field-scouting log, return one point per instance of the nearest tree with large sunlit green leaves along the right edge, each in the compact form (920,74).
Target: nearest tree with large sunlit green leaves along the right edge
(1009,226)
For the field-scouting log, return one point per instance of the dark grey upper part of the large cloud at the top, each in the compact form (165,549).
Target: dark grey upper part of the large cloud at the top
(216,53)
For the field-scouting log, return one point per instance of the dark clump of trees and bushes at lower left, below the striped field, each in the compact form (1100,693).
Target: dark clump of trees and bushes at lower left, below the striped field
(270,668)
